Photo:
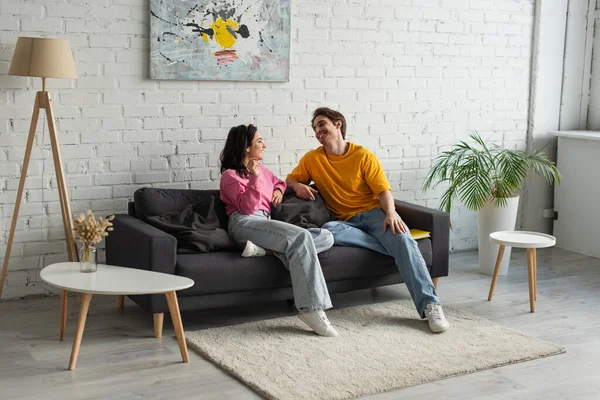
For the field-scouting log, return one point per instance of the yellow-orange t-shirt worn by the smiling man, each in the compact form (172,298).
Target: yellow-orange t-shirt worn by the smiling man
(349,183)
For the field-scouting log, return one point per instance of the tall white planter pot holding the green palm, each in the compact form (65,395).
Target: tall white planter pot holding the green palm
(492,219)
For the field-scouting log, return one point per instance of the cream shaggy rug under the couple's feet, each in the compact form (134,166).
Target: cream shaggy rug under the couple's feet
(380,347)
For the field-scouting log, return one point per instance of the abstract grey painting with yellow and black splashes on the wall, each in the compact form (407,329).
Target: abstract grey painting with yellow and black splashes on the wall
(230,40)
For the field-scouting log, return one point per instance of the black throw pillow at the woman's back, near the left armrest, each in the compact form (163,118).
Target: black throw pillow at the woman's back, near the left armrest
(196,228)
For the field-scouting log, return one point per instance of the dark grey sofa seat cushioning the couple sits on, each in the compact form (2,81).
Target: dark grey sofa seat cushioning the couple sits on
(230,272)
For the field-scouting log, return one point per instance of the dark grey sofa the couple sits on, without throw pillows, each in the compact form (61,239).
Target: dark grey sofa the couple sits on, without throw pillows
(225,278)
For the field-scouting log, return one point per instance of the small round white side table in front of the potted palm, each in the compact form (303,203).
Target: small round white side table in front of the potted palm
(523,239)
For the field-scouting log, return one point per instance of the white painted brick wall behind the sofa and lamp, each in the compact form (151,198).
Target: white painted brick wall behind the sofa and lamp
(411,77)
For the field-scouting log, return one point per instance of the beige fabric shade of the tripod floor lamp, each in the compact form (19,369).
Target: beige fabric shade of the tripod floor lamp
(45,58)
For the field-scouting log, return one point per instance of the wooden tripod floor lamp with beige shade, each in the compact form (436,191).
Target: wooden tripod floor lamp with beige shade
(44,58)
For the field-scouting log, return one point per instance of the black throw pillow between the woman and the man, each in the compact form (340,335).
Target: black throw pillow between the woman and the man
(303,213)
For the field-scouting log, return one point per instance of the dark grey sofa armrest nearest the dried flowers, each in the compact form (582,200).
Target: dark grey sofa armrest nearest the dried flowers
(136,244)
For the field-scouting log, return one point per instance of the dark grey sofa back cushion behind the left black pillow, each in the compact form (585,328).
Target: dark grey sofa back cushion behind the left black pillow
(156,201)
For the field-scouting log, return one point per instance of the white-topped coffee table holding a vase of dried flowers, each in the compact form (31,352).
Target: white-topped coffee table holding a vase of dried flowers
(120,281)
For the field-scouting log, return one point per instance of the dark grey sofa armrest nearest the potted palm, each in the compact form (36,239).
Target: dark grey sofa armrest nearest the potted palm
(434,221)
